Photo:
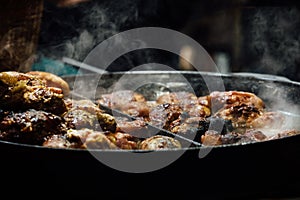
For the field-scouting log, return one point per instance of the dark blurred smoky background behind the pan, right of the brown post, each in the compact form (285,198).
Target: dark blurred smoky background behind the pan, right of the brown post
(240,35)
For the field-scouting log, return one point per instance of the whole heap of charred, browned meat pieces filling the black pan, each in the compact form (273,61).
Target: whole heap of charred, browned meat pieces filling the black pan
(34,109)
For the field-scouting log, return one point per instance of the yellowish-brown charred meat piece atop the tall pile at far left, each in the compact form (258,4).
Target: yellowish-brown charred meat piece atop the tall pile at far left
(19,92)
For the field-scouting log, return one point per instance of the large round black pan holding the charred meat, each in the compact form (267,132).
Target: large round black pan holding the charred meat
(255,170)
